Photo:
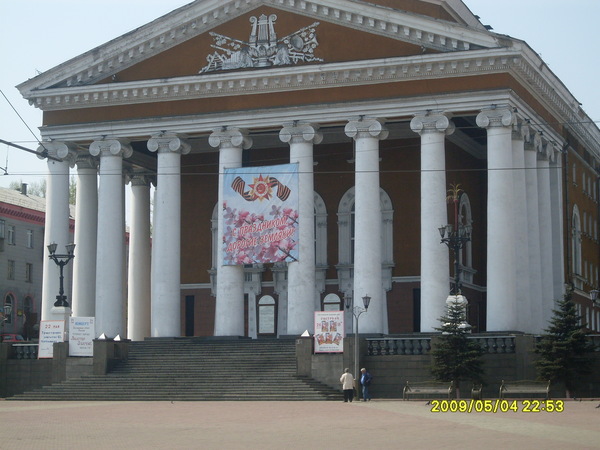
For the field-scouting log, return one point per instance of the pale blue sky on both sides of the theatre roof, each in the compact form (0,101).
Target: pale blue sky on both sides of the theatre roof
(37,35)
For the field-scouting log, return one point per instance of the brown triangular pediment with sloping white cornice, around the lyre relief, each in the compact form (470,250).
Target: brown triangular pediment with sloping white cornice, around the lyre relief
(178,44)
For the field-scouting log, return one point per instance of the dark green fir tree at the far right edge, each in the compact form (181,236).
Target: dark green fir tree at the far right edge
(562,350)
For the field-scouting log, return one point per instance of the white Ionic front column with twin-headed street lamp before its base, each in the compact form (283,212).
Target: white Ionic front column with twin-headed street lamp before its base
(367,132)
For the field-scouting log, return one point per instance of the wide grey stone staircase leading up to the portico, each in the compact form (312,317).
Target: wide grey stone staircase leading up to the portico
(195,369)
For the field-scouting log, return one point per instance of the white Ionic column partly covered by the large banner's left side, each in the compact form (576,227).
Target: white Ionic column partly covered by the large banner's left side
(229,309)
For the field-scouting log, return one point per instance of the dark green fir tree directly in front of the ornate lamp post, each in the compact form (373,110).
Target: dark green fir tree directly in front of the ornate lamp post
(456,357)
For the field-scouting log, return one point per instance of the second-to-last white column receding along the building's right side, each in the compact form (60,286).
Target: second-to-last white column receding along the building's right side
(545,211)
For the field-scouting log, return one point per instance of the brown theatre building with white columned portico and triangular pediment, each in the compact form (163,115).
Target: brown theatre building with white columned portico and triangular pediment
(382,109)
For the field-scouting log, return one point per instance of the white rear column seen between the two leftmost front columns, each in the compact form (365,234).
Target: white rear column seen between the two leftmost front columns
(86,227)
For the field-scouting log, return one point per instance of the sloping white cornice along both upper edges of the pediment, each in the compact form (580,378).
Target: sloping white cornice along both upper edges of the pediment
(199,17)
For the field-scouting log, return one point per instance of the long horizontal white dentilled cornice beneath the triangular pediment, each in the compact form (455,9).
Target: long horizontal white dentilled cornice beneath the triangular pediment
(354,73)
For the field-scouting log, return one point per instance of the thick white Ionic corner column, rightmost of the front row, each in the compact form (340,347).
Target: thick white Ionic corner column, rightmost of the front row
(501,290)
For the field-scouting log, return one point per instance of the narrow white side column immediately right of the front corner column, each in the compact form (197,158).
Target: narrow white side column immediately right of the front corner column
(521,237)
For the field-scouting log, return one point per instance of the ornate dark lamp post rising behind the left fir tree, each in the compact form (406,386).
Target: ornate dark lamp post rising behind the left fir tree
(456,236)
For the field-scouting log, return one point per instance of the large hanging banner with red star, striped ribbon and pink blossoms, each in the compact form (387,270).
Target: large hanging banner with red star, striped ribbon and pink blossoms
(260,215)
